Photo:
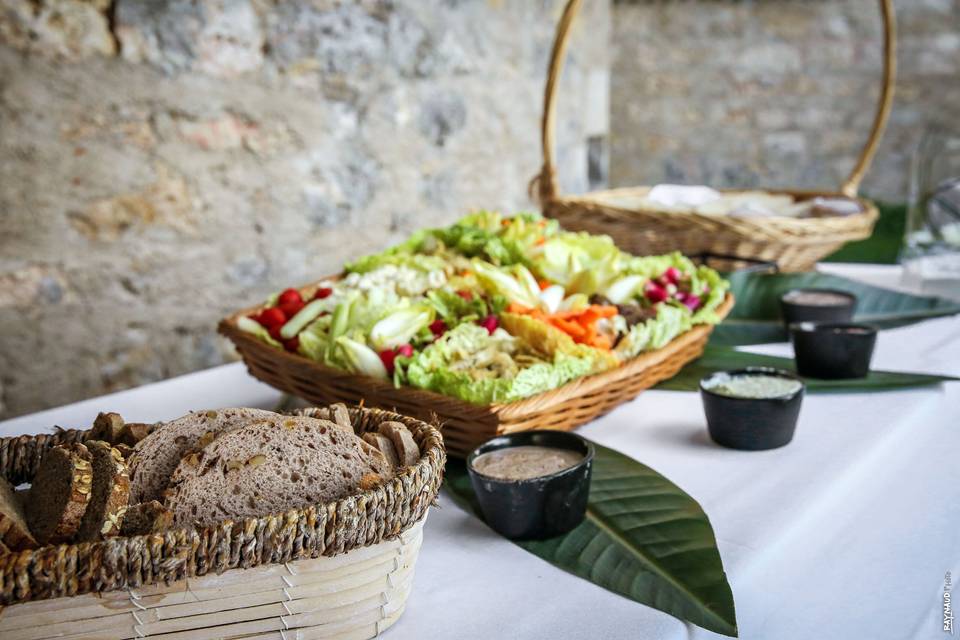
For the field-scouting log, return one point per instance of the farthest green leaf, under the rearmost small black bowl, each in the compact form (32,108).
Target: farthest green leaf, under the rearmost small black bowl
(755,318)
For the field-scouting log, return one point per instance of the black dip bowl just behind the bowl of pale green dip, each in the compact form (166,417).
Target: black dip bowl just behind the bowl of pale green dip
(832,350)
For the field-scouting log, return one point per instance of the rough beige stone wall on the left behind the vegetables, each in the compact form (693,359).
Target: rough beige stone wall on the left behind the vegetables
(165,162)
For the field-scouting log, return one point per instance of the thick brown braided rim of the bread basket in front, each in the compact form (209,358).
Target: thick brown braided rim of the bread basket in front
(365,519)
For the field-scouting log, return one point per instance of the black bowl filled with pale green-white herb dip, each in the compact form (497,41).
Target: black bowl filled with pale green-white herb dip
(764,416)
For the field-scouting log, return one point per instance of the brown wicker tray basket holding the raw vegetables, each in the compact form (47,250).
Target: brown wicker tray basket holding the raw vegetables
(465,425)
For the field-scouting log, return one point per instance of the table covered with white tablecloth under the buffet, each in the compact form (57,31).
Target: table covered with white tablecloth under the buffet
(848,532)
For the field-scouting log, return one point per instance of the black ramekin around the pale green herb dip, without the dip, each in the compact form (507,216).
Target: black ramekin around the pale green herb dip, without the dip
(752,424)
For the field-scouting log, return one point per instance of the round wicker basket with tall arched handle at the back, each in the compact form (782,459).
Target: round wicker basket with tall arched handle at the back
(795,244)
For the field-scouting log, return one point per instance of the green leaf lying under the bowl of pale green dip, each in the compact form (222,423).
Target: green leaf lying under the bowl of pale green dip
(726,358)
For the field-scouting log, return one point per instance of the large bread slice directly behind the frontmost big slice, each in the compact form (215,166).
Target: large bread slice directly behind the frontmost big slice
(156,457)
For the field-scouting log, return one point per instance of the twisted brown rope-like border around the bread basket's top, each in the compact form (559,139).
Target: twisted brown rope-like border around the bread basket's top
(416,485)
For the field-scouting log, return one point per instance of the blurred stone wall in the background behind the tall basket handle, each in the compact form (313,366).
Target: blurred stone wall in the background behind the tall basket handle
(775,92)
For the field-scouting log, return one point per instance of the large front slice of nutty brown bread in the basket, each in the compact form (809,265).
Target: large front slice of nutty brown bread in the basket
(271,466)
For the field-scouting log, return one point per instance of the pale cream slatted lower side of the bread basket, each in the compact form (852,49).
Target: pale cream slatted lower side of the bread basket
(355,595)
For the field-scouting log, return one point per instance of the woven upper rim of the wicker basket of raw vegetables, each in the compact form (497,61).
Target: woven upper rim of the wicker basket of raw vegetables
(537,402)
